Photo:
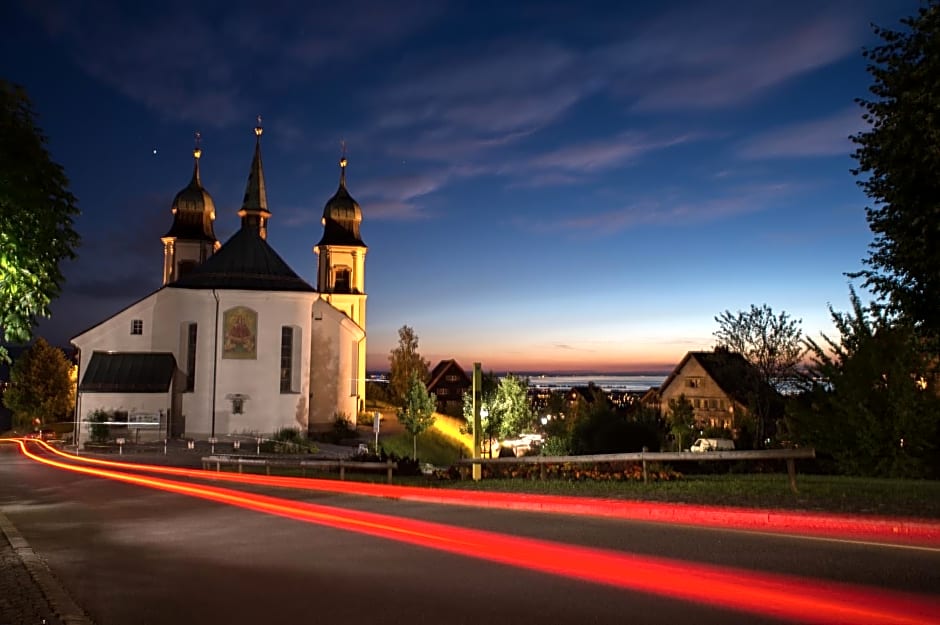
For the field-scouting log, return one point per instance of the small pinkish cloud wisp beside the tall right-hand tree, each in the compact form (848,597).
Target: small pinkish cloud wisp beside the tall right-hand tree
(822,137)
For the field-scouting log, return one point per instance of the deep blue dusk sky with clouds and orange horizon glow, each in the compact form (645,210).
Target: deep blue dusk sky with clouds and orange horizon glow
(545,186)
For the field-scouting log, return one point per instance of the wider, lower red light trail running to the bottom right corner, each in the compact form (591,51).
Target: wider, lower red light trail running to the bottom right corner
(782,596)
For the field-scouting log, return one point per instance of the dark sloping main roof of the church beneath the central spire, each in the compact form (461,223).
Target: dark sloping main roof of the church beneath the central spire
(247,262)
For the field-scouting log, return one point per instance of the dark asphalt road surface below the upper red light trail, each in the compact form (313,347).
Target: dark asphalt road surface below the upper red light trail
(131,554)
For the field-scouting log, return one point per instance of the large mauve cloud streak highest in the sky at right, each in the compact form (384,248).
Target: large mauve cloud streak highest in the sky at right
(717,56)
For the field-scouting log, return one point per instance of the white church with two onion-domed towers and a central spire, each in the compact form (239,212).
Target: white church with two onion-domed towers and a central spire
(234,342)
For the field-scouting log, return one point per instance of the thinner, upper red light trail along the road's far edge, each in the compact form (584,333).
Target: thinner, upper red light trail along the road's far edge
(909,531)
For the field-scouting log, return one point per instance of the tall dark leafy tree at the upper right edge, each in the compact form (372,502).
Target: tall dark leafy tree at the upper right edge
(899,169)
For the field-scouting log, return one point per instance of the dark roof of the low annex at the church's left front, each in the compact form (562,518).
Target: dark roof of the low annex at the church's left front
(129,372)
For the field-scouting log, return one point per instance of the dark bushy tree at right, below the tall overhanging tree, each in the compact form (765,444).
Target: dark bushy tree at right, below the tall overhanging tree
(870,402)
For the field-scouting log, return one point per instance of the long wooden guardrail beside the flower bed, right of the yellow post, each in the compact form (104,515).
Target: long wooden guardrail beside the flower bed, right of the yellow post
(790,455)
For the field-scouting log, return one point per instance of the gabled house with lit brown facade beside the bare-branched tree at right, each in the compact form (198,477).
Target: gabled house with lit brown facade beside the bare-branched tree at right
(722,386)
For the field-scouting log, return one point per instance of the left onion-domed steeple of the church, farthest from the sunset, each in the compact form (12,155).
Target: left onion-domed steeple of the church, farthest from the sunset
(190,239)
